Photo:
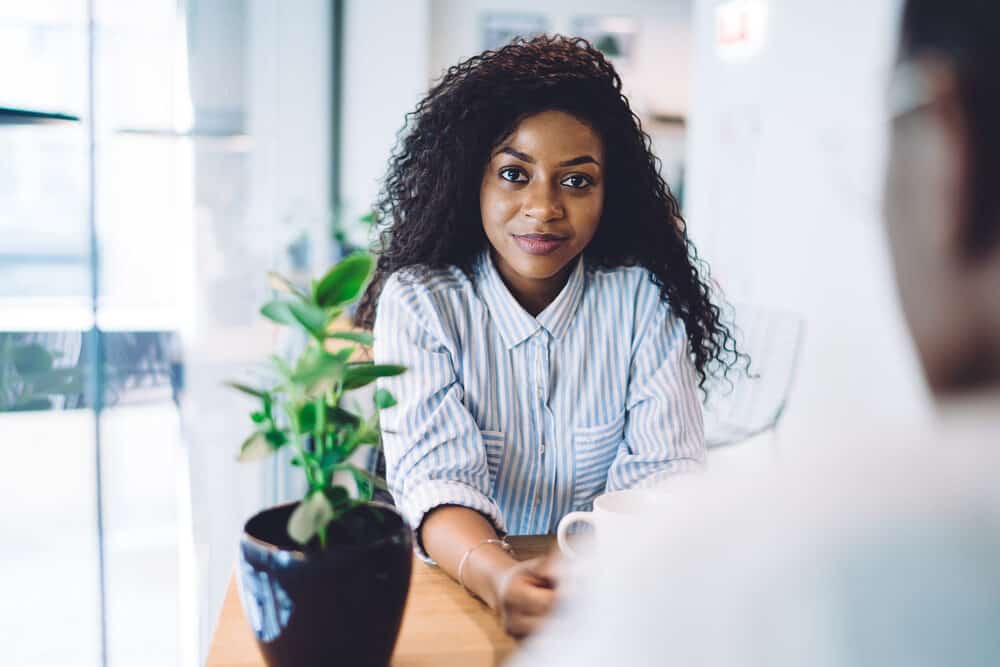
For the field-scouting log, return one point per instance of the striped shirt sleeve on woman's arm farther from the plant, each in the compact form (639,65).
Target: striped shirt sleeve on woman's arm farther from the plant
(664,431)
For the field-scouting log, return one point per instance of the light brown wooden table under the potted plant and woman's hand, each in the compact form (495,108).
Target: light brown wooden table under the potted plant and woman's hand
(443,626)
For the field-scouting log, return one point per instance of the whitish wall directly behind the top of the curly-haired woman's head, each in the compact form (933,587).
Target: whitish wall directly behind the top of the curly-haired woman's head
(393,50)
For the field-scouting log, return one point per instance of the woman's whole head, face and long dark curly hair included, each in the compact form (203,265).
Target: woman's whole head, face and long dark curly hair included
(534,151)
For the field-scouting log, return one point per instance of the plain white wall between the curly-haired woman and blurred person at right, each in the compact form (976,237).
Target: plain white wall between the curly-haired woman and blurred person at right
(785,155)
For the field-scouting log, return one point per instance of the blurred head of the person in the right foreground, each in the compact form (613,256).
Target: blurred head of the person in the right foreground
(942,189)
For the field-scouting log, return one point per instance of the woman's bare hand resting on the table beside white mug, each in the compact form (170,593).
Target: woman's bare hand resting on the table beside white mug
(525,595)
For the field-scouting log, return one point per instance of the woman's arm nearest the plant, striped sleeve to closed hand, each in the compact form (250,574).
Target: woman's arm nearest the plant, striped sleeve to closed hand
(436,463)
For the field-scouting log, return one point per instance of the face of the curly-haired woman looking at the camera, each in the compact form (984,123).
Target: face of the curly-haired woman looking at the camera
(541,197)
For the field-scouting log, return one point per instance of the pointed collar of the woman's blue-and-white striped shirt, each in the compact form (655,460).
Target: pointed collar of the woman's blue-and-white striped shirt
(515,324)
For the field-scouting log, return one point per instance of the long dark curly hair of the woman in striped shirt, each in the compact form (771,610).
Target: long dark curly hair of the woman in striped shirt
(429,204)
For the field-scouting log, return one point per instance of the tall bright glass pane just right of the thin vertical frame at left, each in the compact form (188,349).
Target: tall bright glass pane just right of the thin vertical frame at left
(144,228)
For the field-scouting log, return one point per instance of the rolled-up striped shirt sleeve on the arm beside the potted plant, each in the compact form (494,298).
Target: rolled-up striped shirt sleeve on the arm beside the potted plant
(434,450)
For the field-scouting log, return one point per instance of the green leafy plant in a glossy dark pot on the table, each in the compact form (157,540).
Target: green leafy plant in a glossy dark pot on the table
(323,581)
